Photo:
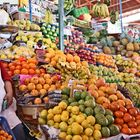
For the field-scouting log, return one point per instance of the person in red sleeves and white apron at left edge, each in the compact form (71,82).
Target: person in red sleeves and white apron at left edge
(6,94)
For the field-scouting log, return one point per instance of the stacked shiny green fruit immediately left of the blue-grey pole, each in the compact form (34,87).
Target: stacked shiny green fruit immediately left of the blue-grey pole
(50,31)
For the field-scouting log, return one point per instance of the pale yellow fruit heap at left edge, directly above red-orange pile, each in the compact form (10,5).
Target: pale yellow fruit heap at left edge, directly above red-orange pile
(14,52)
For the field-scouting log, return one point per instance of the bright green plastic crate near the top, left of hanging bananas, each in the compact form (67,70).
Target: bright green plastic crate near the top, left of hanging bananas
(80,11)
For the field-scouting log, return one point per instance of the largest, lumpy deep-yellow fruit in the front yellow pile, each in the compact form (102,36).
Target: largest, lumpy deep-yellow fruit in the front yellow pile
(76,128)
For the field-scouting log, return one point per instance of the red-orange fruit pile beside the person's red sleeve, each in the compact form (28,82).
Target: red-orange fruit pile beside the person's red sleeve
(23,66)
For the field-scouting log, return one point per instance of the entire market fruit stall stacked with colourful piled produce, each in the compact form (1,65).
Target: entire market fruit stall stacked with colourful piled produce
(84,83)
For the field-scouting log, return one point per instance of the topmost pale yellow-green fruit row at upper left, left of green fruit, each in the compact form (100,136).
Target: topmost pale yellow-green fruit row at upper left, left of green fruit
(25,25)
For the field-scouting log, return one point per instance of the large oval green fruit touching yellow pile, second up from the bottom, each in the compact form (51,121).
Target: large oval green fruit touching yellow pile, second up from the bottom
(101,119)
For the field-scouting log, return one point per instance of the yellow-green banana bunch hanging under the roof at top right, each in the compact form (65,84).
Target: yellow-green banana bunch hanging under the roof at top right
(100,10)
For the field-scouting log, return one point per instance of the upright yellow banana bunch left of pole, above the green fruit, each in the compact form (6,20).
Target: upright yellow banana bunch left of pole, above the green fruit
(48,16)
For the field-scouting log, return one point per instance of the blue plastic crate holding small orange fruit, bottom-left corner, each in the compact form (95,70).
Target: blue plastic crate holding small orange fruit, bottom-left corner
(5,126)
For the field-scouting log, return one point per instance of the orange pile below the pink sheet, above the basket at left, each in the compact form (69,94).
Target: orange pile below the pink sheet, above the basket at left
(40,86)
